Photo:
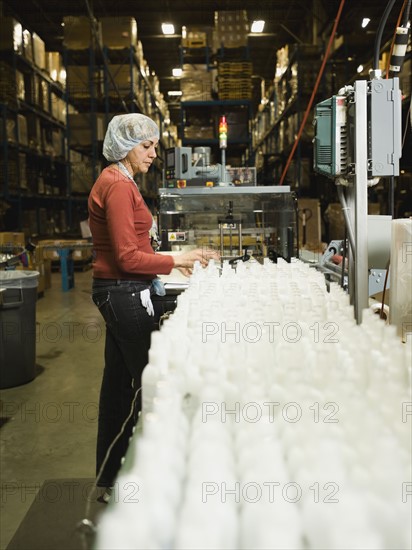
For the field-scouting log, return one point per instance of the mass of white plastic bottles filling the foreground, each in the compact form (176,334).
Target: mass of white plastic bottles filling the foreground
(270,420)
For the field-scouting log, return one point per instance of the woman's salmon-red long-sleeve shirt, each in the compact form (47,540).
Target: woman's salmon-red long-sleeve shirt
(120,222)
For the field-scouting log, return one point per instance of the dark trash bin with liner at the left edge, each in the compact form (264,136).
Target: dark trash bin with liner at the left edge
(18,295)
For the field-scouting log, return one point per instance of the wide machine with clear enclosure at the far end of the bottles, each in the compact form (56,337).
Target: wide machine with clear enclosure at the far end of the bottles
(238,221)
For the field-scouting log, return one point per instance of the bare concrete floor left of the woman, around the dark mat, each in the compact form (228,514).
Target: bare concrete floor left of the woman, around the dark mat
(49,425)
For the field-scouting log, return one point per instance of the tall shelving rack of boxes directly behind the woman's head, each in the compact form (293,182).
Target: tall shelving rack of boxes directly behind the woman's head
(116,83)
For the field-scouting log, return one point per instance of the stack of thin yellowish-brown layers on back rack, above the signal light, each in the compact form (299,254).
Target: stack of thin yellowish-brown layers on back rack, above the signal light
(234,80)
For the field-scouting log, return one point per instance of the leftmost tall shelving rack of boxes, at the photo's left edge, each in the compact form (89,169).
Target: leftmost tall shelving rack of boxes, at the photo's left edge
(34,165)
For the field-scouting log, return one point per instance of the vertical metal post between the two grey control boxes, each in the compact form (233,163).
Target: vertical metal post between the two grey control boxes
(361,200)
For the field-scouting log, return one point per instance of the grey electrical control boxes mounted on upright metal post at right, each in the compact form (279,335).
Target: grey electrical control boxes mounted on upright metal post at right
(358,141)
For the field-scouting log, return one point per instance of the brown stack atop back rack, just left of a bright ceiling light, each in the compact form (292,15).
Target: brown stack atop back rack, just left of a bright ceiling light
(231,29)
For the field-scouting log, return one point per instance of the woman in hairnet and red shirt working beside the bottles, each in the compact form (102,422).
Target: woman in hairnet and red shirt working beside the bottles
(124,267)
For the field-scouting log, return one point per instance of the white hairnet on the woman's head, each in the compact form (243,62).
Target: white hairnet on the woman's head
(125,132)
